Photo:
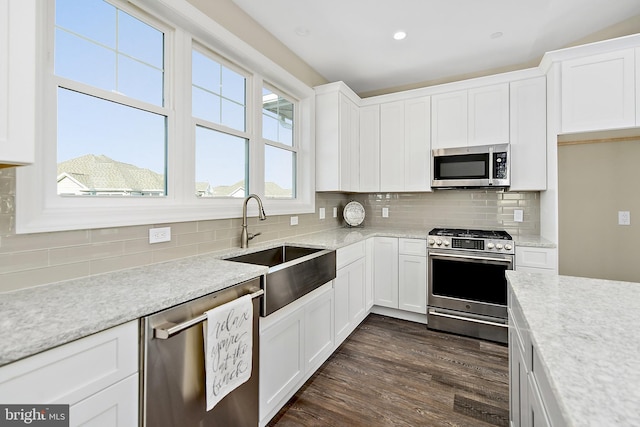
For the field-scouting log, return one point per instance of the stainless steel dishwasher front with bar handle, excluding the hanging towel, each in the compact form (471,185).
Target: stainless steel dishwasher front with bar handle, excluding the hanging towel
(173,377)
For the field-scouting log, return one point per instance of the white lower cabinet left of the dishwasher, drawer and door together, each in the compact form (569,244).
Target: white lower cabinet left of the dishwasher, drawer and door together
(97,376)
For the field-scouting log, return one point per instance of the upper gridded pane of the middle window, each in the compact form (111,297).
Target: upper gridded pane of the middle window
(218,93)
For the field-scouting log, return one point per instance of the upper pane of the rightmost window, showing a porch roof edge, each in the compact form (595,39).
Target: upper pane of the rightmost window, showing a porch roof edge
(277,118)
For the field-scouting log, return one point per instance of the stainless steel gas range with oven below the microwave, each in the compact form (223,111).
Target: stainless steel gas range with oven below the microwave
(467,288)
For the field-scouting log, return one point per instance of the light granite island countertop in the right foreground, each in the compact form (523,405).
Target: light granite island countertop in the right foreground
(587,333)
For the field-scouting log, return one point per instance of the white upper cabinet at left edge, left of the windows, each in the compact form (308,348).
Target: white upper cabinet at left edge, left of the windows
(17,82)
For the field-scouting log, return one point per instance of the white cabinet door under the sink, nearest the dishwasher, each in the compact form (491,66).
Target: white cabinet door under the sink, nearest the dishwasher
(282,360)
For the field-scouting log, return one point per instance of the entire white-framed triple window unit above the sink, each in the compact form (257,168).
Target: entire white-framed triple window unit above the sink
(144,121)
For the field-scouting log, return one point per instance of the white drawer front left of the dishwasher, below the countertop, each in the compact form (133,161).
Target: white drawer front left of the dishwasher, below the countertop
(74,371)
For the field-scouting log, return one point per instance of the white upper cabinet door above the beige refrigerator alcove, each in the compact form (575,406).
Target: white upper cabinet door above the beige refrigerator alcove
(598,92)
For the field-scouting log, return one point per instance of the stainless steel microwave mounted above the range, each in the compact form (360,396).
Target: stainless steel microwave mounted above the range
(477,166)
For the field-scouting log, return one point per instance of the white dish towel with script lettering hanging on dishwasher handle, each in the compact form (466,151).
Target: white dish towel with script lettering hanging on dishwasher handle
(228,345)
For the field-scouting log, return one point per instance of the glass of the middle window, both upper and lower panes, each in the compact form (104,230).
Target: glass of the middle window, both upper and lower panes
(218,100)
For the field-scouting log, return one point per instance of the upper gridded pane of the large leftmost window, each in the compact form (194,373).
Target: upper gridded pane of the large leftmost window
(86,50)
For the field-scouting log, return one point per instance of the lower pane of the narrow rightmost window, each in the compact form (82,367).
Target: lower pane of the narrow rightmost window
(279,171)
